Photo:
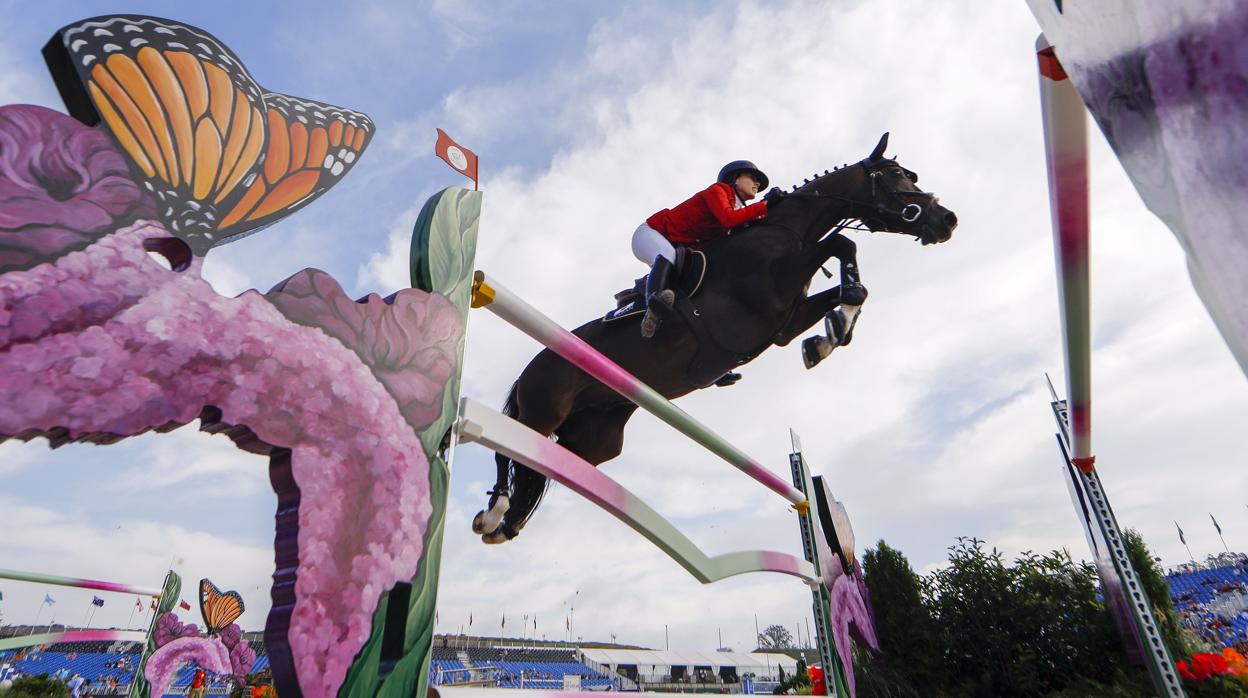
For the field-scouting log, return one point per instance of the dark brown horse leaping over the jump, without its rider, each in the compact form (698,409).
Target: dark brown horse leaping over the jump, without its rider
(753,295)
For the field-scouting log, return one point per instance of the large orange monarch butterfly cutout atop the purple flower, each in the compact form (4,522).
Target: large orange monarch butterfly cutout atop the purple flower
(223,157)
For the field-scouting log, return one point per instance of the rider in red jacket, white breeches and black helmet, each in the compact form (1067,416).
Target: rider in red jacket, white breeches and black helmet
(708,215)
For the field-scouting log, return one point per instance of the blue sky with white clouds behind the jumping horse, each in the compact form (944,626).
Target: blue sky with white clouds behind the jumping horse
(588,118)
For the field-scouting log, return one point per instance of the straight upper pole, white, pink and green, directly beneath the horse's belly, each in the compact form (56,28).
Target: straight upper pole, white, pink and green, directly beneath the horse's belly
(496,299)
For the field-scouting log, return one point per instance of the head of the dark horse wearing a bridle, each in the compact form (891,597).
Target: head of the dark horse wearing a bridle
(892,202)
